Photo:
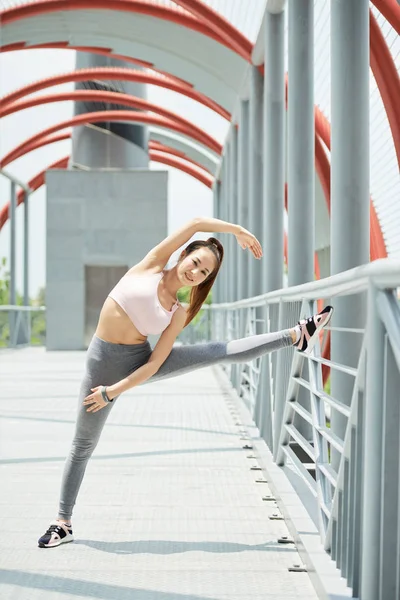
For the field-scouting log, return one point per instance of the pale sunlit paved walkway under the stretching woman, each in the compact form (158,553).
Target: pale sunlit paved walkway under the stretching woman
(169,508)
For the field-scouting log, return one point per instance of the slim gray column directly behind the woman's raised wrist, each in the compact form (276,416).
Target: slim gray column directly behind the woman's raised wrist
(243,196)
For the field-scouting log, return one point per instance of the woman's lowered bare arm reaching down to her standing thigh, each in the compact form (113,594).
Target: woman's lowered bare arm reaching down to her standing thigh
(160,353)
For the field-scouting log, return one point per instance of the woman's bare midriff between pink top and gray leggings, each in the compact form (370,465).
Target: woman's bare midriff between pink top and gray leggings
(115,326)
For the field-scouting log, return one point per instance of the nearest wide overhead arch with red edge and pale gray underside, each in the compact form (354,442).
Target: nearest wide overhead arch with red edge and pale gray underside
(129,26)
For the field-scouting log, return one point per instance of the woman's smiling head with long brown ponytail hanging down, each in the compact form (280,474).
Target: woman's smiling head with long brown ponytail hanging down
(198,268)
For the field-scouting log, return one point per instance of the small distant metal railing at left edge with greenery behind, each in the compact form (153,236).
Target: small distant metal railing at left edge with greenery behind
(22,326)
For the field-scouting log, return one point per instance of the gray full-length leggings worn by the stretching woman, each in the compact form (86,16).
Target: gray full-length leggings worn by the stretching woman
(107,363)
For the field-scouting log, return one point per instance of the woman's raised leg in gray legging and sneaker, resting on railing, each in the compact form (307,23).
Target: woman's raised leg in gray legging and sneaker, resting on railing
(184,359)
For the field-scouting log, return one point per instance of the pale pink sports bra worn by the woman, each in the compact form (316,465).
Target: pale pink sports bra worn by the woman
(137,295)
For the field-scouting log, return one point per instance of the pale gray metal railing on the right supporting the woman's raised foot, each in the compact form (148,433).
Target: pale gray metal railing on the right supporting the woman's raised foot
(351,473)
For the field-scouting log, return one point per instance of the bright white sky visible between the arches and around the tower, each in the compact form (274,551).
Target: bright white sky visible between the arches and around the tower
(187,196)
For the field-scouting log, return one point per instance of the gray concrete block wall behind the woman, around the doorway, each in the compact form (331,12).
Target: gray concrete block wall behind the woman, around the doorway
(104,218)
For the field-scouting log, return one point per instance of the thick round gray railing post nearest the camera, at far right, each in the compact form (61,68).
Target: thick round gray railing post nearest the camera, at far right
(372,455)
